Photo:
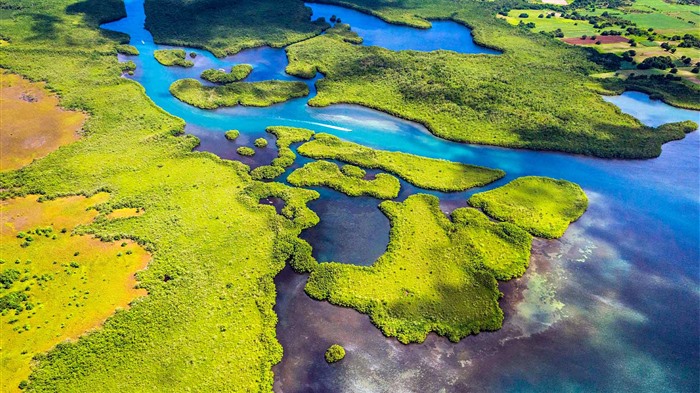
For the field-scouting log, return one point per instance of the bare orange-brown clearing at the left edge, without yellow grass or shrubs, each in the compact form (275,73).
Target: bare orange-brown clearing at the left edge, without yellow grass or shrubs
(32,123)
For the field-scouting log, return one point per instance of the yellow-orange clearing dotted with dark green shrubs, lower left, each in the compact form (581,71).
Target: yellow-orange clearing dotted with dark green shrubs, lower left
(56,286)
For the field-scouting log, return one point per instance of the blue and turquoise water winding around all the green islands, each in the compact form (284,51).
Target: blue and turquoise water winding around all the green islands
(612,306)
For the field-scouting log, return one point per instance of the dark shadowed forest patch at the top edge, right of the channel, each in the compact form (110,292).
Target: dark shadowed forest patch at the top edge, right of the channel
(226,27)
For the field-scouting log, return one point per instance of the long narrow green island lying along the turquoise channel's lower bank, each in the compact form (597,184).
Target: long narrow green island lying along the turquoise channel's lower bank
(428,173)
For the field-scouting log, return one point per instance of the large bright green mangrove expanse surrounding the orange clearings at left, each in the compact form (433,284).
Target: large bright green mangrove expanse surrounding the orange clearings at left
(207,323)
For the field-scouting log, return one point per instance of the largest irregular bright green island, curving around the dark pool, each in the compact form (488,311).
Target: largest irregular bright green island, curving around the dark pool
(436,275)
